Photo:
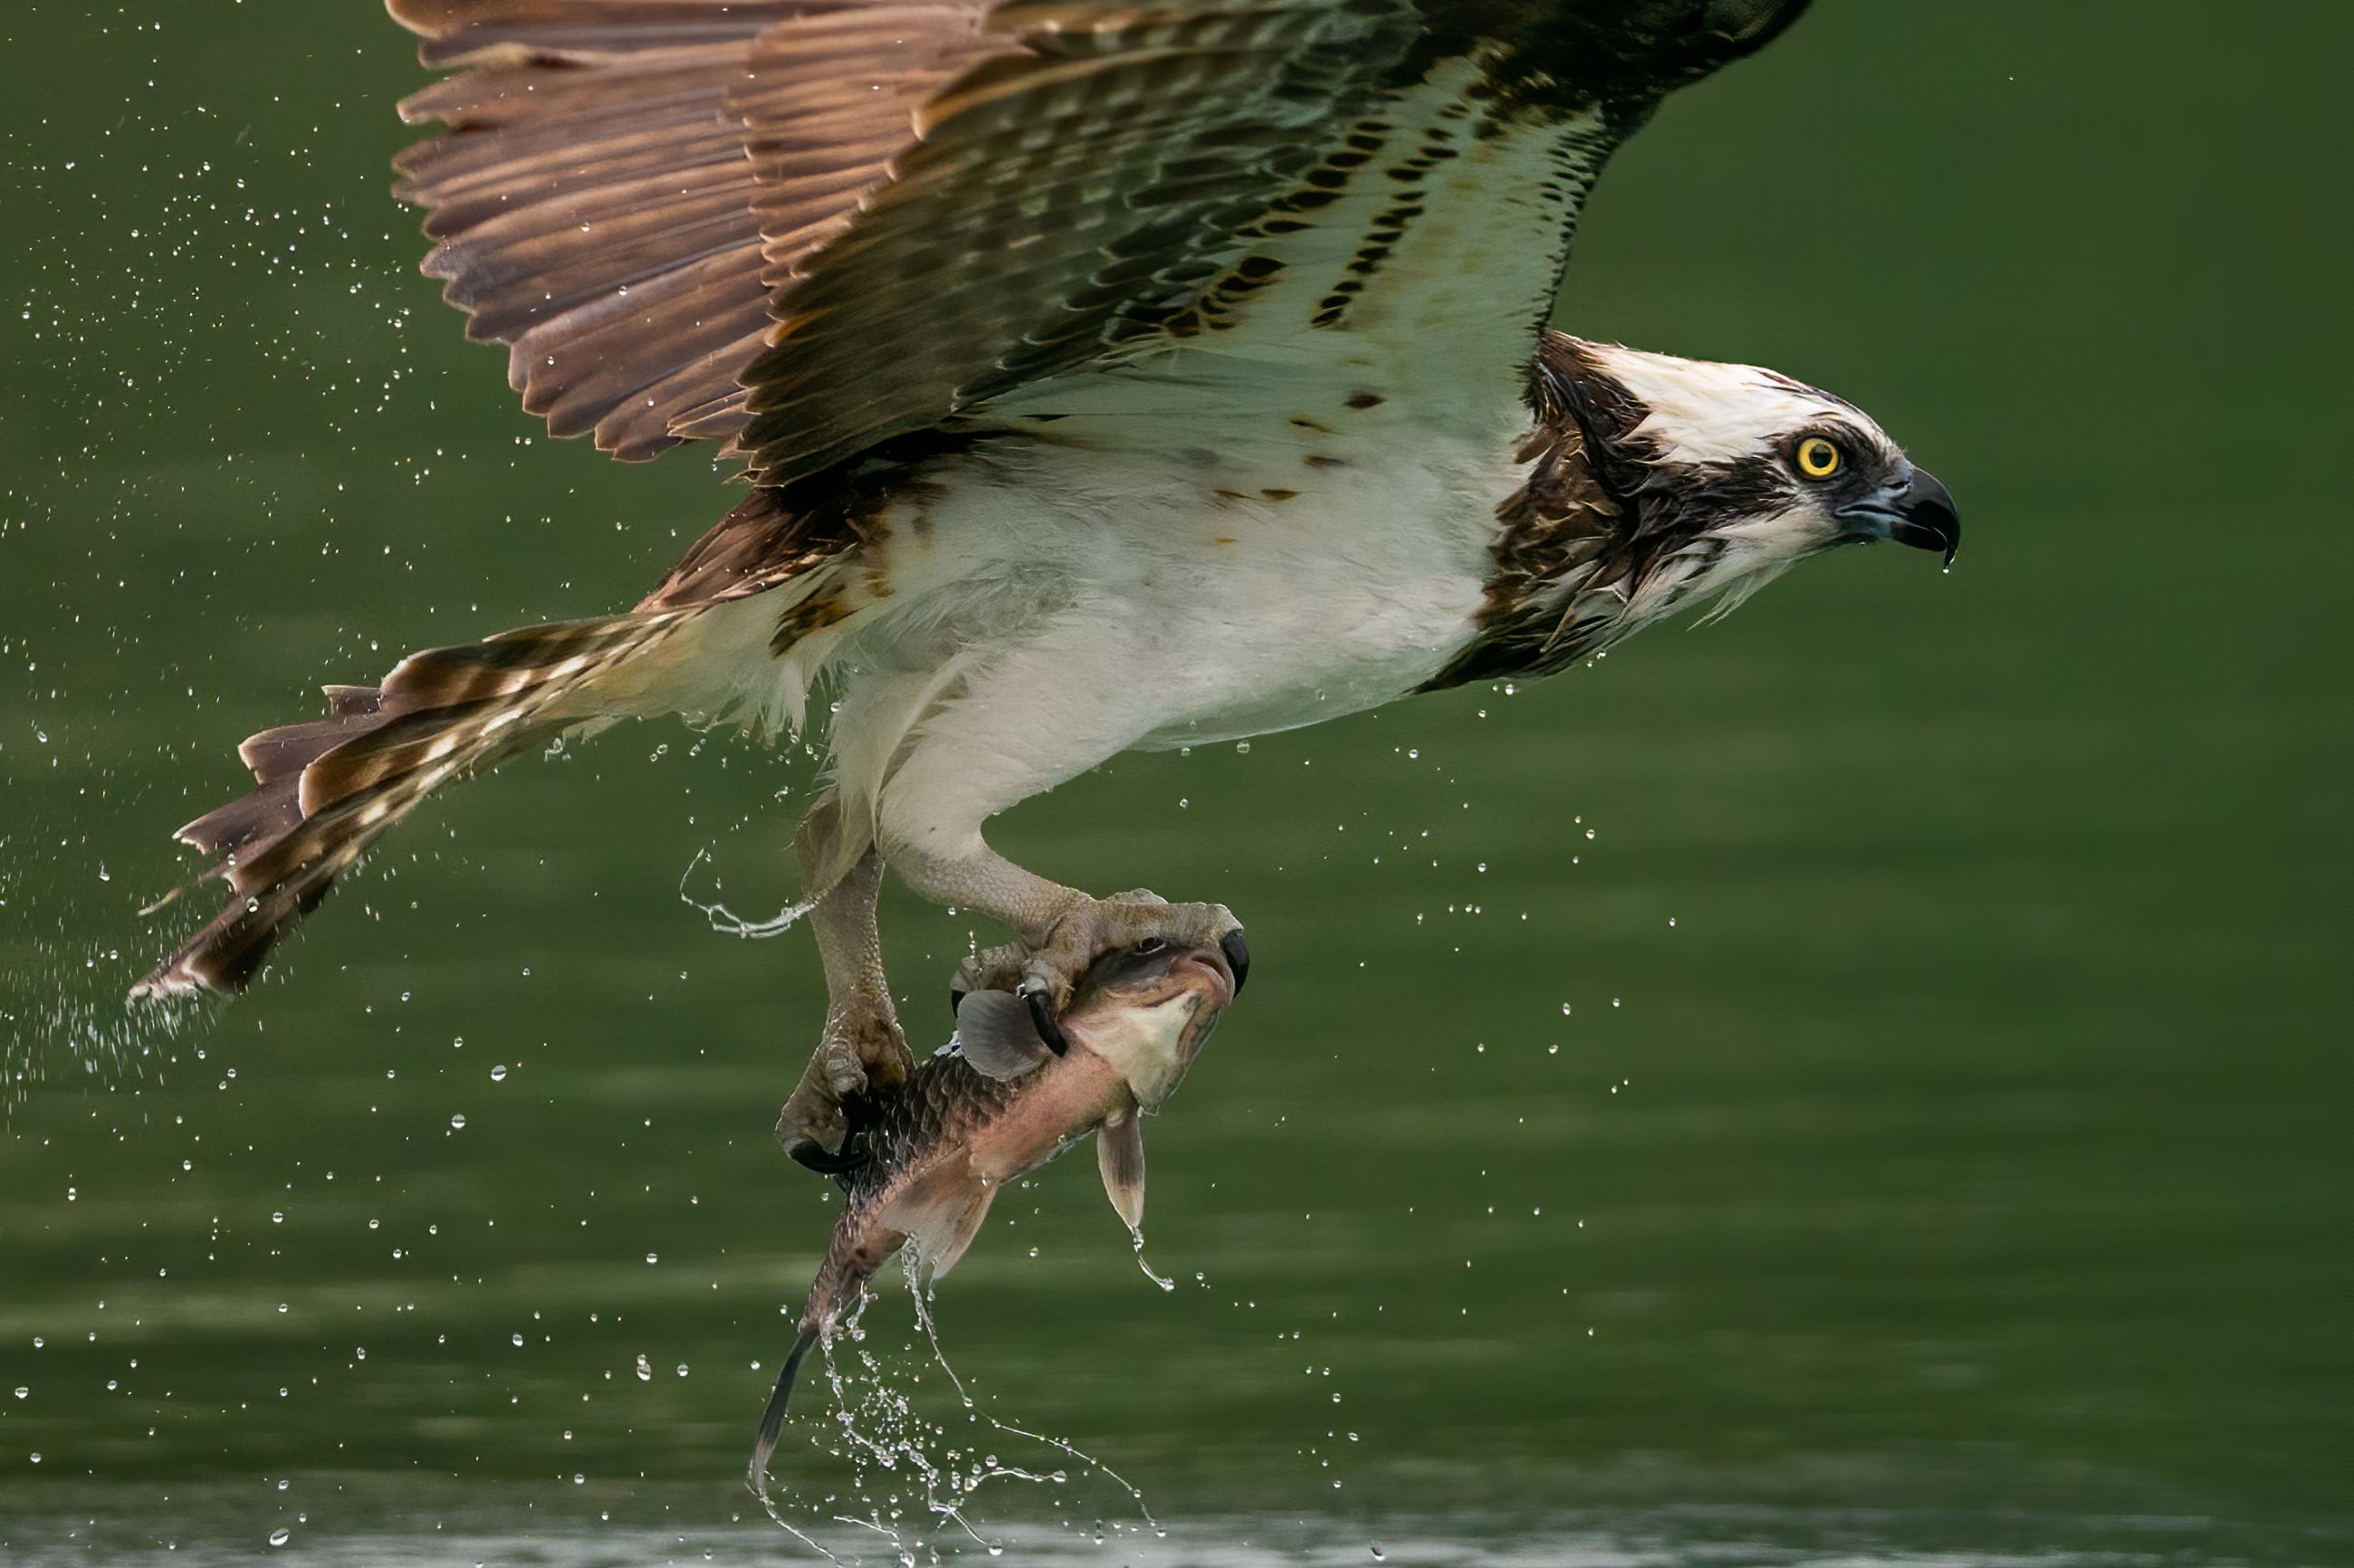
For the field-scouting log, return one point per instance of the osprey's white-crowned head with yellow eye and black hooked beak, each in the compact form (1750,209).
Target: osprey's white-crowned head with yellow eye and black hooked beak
(1731,474)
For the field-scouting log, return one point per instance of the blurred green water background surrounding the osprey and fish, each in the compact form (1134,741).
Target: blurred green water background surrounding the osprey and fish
(1868,1077)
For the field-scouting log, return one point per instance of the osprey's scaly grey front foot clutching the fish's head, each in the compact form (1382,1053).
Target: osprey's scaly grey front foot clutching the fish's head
(1060,929)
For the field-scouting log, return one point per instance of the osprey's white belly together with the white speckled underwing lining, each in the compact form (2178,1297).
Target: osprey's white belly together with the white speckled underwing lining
(1237,531)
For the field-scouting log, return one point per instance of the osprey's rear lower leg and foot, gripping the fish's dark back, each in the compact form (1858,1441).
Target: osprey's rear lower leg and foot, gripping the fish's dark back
(863,1047)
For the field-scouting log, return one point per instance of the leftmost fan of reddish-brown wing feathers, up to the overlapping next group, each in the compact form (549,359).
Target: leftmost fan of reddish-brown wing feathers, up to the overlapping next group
(594,204)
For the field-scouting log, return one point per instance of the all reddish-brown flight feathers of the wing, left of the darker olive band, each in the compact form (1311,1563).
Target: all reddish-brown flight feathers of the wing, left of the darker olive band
(625,182)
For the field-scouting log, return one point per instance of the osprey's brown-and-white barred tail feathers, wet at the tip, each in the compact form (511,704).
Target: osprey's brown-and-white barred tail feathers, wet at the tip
(331,788)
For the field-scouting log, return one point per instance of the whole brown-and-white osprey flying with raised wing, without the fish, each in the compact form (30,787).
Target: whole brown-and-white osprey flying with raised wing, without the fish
(1105,376)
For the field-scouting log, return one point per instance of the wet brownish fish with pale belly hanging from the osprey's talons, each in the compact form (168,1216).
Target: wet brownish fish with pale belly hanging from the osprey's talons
(924,1162)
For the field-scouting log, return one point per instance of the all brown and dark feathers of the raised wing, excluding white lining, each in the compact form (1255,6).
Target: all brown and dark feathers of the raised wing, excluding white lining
(818,225)
